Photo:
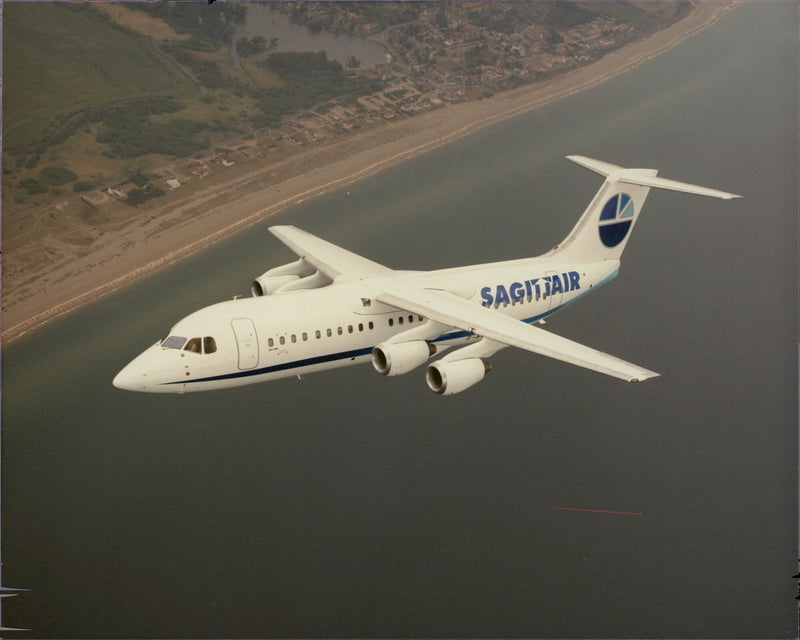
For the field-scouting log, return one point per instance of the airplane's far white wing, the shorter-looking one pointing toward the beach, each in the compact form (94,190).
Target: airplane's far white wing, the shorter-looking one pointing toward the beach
(331,260)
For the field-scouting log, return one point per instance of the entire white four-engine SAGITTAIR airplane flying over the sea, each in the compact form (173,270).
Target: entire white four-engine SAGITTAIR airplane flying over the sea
(331,308)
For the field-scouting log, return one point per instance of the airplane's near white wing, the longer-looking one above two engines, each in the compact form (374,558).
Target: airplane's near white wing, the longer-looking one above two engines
(451,310)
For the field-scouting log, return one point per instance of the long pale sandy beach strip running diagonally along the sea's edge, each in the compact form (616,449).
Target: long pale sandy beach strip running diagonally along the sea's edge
(220,210)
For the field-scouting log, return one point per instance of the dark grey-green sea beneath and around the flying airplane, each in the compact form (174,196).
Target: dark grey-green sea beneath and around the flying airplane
(351,505)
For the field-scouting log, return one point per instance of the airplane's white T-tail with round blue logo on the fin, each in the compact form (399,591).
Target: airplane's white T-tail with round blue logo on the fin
(603,230)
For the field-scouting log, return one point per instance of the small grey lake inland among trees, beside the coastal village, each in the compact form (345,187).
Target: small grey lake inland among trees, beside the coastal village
(263,21)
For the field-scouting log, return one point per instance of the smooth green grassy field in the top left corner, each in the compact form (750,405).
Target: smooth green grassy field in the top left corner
(98,62)
